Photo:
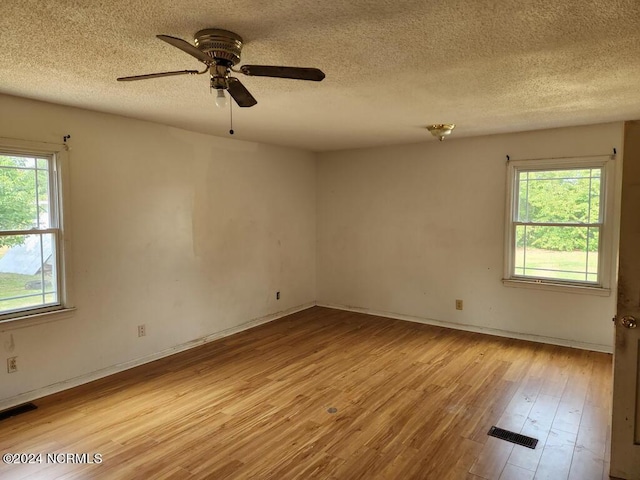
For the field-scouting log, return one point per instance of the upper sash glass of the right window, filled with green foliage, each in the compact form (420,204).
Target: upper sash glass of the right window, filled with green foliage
(559,196)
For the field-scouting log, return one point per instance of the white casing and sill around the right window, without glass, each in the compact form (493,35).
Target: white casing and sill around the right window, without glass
(603,288)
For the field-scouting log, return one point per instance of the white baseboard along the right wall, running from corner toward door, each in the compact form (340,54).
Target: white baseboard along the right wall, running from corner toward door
(472,328)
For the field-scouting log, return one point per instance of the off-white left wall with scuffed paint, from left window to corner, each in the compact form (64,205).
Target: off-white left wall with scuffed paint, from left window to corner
(187,233)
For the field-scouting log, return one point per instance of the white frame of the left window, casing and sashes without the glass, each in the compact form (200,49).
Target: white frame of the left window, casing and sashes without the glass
(57,156)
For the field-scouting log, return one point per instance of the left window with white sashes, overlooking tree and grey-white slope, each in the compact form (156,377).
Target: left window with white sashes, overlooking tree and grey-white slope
(31,235)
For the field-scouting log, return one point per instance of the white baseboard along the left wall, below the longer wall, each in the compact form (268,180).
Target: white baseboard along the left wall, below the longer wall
(105,372)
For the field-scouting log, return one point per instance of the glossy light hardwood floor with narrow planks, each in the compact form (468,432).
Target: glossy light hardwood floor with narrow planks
(413,402)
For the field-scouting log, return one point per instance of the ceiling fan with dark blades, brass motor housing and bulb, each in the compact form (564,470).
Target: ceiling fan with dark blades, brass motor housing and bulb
(220,51)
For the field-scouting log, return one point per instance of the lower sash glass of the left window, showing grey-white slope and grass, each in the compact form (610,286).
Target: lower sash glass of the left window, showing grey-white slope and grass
(28,276)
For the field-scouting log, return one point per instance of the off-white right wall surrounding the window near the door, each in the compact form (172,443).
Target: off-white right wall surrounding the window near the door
(404,231)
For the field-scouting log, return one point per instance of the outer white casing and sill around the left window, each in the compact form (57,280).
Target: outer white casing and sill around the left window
(59,152)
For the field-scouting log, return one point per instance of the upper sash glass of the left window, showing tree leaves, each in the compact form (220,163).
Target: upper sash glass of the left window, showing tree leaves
(24,193)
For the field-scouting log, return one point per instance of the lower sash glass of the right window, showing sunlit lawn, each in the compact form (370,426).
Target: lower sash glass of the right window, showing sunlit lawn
(541,252)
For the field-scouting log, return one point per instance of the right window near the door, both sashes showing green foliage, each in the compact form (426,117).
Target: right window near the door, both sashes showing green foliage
(558,229)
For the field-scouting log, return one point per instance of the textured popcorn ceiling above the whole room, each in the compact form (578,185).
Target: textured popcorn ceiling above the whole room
(392,66)
